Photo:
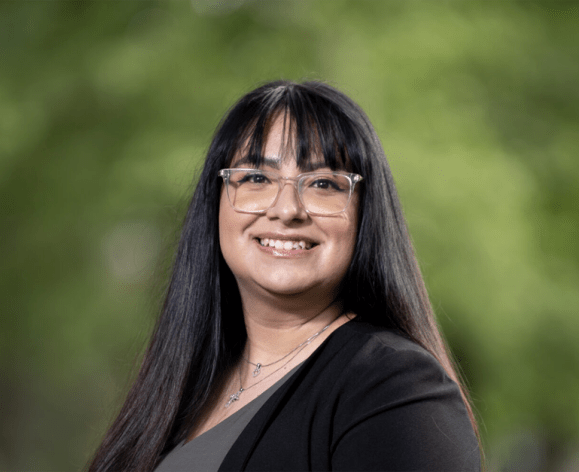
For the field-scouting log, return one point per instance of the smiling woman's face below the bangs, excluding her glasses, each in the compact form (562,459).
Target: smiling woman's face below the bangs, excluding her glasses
(273,270)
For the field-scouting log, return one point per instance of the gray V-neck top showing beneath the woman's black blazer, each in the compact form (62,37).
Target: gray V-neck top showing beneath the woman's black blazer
(206,452)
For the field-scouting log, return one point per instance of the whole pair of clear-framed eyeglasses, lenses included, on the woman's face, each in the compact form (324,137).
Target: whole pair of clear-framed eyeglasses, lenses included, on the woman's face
(320,193)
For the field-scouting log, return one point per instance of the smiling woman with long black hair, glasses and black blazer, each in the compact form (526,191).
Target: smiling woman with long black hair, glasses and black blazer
(296,333)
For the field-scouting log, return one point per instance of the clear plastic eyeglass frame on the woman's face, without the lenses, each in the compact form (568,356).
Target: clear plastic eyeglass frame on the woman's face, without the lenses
(296,181)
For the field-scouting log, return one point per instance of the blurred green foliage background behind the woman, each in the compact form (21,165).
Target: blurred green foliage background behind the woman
(107,108)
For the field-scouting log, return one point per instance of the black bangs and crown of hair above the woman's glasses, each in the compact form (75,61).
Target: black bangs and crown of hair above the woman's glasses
(319,134)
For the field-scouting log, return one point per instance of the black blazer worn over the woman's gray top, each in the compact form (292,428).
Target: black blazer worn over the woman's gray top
(366,399)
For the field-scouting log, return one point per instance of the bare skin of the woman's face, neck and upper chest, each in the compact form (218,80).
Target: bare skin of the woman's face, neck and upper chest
(286,298)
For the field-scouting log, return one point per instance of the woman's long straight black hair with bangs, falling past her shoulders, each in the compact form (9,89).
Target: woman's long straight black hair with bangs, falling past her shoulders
(200,332)
